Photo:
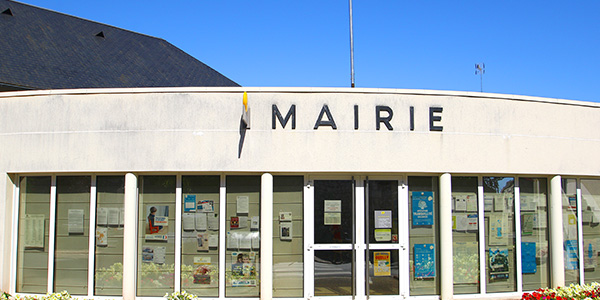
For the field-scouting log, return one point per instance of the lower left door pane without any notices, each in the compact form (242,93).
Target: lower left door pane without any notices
(333,272)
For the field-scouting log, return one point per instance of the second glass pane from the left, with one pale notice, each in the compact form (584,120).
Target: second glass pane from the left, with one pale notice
(72,234)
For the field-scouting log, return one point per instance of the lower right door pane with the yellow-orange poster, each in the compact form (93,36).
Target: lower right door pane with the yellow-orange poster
(383,272)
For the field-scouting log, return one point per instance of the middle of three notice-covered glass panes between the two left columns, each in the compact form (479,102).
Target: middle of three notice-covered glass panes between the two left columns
(200,235)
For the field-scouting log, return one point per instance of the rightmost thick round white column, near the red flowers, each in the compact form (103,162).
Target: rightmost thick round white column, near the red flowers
(556,233)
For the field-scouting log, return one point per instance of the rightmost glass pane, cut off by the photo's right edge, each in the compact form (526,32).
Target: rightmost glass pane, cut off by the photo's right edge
(590,207)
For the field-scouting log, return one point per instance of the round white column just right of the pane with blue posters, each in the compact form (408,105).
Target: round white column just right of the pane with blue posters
(446,267)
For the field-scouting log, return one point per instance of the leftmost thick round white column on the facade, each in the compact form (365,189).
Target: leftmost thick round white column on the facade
(130,237)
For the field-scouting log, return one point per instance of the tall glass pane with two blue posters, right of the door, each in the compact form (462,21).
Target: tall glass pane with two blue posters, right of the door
(424,235)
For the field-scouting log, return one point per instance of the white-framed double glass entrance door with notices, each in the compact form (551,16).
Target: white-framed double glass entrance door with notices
(355,245)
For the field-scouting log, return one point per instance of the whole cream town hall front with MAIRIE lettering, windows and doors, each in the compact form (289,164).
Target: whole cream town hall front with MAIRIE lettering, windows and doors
(301,193)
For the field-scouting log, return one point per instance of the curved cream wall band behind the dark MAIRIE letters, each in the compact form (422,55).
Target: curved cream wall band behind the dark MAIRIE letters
(199,130)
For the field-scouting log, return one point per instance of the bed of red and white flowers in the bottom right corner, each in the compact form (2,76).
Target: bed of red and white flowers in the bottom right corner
(582,292)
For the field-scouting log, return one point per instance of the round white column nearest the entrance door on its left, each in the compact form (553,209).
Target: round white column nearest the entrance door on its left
(266,236)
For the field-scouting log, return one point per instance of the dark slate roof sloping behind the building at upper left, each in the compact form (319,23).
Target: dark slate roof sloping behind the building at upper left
(43,49)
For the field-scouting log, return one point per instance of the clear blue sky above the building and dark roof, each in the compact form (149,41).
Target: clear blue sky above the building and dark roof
(536,48)
